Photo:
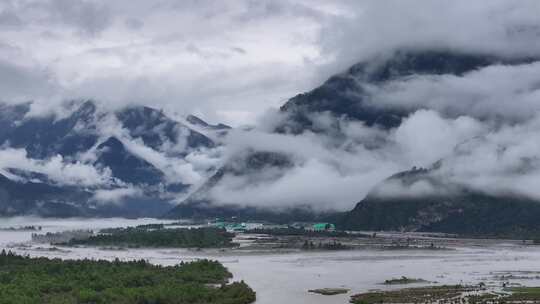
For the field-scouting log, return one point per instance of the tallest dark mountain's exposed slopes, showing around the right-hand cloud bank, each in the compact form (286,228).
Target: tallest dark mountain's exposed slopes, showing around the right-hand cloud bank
(345,96)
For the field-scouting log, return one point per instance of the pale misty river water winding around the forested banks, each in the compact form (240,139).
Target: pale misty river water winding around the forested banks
(285,277)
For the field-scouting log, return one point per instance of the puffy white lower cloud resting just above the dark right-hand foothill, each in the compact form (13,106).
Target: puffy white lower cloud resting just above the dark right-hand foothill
(496,158)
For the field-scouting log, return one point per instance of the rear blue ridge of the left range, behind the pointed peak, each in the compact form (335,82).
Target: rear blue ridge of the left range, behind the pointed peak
(44,136)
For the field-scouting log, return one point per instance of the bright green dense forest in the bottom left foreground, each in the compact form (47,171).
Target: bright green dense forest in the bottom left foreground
(25,280)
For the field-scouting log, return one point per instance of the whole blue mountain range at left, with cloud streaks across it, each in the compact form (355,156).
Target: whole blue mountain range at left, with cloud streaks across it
(90,161)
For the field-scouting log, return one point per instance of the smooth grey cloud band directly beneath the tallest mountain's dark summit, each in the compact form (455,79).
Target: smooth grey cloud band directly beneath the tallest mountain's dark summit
(506,92)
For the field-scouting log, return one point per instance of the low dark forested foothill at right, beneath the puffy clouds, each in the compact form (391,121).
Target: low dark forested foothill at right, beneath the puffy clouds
(447,208)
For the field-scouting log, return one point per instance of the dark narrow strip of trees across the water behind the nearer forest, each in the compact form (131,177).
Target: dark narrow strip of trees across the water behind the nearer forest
(173,238)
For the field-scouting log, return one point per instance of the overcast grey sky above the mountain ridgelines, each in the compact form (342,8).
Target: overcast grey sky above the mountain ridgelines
(228,61)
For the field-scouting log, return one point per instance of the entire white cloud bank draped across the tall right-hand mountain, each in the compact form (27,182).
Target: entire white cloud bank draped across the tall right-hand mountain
(481,124)
